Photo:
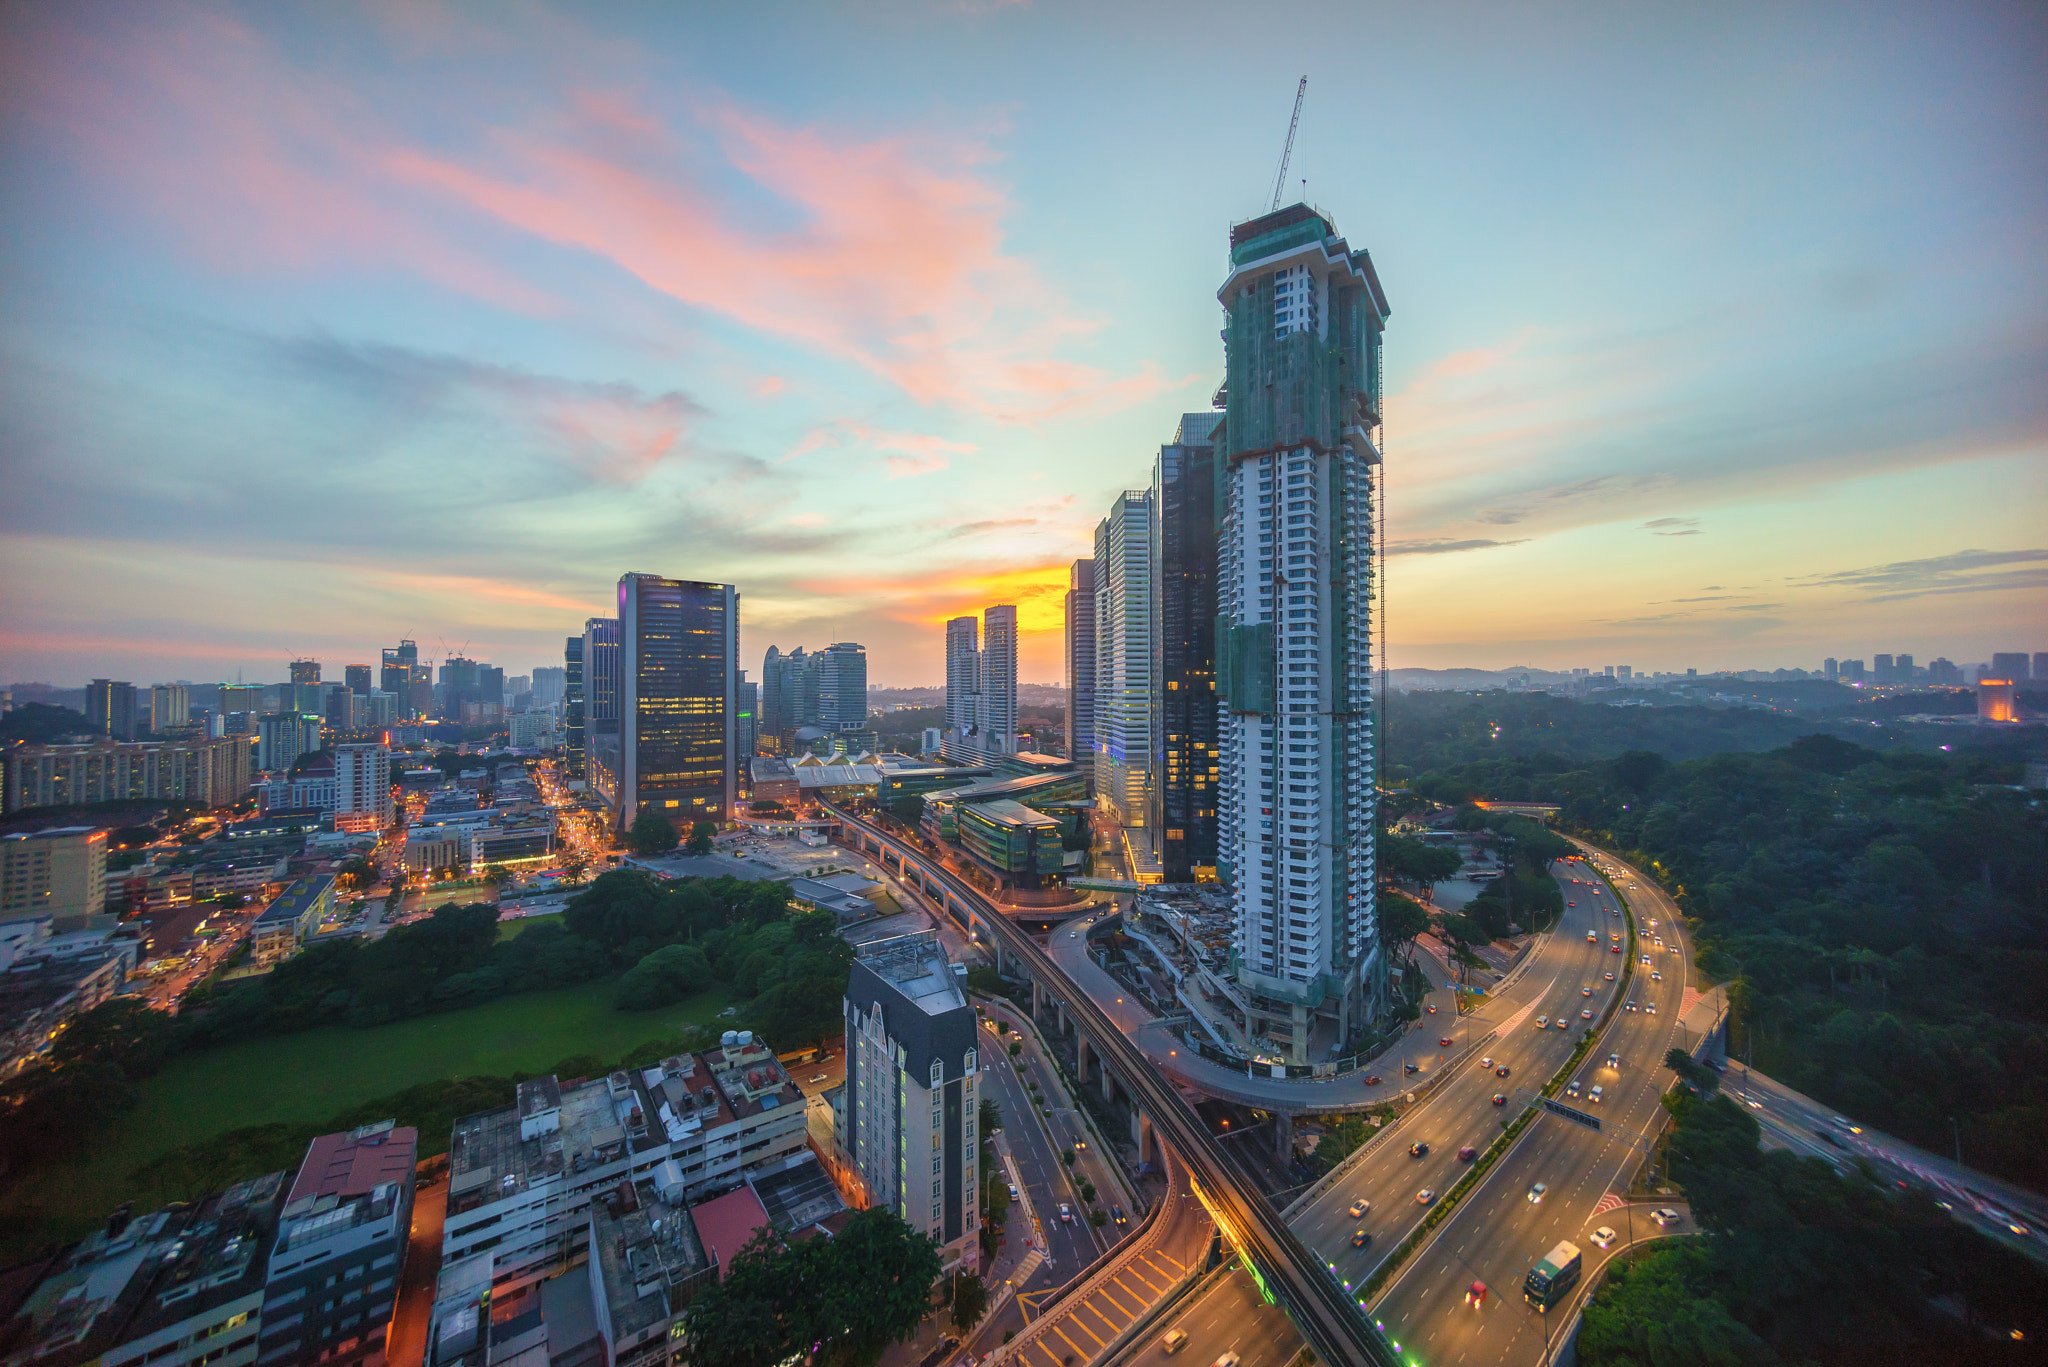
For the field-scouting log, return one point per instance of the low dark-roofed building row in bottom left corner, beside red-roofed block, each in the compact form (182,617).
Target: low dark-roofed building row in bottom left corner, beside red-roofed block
(175,1288)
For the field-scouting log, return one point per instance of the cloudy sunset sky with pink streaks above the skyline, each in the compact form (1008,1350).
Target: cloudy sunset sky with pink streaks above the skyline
(1719,335)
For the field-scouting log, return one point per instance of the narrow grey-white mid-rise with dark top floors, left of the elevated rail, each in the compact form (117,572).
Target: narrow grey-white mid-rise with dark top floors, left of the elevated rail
(910,1091)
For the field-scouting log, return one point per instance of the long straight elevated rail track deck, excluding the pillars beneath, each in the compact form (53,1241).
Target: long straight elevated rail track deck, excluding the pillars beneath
(1322,1311)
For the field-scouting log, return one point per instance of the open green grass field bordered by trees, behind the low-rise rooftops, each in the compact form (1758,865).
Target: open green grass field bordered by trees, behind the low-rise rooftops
(321,1073)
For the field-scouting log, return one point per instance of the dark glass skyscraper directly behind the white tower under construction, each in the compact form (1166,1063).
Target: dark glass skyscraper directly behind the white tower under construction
(1187,757)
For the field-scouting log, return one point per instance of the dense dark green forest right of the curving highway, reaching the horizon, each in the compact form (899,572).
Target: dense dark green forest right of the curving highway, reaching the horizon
(1883,915)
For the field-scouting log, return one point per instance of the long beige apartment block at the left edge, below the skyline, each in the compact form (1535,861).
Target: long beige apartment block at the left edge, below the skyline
(206,772)
